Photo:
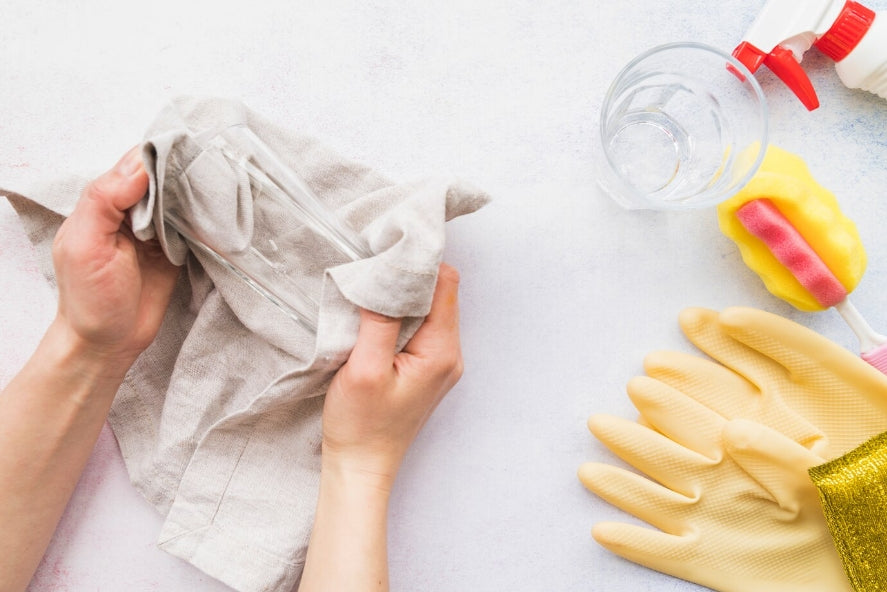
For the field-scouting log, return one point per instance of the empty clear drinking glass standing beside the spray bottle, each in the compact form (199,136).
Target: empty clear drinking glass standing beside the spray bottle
(683,125)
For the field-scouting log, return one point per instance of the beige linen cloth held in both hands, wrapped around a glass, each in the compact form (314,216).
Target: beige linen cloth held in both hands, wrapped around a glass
(219,420)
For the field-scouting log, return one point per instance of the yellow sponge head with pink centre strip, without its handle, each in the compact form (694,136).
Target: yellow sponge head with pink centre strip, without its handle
(791,232)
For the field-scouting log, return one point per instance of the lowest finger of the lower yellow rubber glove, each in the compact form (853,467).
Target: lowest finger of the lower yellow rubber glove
(666,553)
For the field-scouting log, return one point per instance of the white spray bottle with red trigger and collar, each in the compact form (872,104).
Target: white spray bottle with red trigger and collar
(854,36)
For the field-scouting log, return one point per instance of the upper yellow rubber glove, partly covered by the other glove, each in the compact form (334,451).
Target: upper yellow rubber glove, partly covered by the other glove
(783,365)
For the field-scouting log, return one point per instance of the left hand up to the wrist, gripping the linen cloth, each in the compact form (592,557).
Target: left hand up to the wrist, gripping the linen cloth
(113,289)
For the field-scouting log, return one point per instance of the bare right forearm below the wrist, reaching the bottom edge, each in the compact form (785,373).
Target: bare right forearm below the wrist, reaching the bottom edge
(349,547)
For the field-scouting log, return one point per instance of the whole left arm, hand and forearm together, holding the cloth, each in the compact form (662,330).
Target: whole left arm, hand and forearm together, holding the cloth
(113,293)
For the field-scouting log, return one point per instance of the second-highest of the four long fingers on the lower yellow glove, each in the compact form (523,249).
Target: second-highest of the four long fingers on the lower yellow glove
(655,455)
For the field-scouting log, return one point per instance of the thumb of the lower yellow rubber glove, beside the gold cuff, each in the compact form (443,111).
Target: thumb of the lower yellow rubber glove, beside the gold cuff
(777,463)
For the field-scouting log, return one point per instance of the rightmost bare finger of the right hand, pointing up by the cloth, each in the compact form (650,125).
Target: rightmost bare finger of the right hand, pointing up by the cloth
(440,330)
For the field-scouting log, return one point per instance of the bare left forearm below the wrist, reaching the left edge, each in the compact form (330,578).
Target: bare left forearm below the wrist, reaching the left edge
(50,416)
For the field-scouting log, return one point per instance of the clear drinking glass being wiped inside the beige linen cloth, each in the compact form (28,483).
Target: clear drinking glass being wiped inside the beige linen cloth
(261,250)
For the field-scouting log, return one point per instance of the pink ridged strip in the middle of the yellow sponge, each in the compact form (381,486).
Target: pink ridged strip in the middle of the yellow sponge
(764,220)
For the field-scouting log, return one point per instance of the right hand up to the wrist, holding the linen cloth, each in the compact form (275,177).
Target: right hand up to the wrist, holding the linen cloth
(379,400)
